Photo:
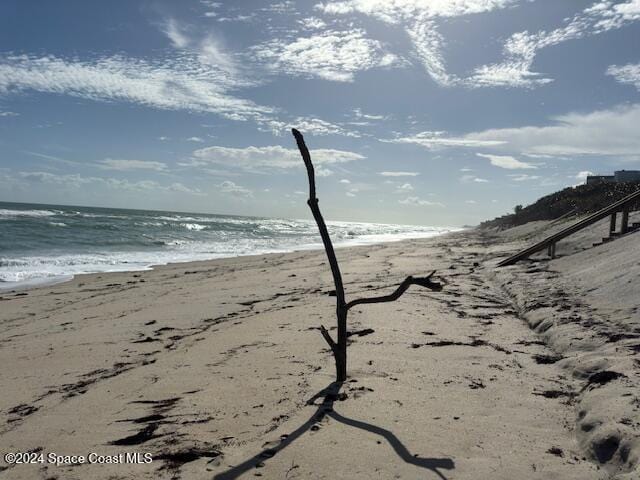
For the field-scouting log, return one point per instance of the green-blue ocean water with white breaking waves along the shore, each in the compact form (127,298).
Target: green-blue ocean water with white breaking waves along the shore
(42,243)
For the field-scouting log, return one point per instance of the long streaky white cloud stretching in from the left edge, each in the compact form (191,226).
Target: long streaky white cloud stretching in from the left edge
(175,84)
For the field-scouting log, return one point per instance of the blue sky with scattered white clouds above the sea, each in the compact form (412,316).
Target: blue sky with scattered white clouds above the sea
(431,112)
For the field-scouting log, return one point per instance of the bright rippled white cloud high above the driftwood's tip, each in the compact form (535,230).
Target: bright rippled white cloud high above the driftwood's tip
(331,55)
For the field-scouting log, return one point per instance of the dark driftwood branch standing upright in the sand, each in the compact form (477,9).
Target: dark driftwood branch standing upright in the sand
(339,348)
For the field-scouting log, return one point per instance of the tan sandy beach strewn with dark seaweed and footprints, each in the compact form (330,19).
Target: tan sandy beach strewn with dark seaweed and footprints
(218,370)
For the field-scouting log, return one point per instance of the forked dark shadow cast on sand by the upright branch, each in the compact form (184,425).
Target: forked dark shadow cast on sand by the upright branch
(331,394)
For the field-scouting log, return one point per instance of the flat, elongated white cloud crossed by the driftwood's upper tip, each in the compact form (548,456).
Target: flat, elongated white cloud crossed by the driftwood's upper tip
(272,157)
